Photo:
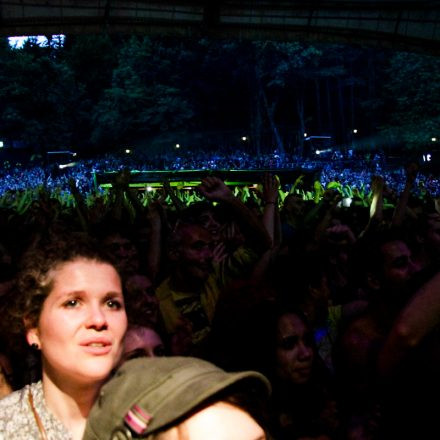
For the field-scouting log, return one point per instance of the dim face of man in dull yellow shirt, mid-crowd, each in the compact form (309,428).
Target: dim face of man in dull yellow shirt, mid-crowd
(195,252)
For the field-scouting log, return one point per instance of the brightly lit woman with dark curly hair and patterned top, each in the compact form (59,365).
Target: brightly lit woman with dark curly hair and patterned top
(69,309)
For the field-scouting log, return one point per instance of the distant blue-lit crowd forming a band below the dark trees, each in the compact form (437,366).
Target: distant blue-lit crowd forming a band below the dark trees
(354,172)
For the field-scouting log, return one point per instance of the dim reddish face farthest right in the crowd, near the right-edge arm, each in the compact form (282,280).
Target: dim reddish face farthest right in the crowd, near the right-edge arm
(398,267)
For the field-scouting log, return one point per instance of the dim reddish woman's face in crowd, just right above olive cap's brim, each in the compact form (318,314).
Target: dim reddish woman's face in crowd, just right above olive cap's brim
(294,353)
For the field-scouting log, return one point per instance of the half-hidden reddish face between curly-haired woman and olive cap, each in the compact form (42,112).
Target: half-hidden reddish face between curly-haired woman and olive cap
(142,341)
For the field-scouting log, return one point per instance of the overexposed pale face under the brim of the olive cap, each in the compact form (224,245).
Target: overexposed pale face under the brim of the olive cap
(219,421)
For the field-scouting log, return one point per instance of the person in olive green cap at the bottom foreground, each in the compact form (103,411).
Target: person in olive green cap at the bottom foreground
(179,398)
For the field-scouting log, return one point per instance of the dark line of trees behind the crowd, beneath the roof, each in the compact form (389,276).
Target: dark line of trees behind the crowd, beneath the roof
(100,92)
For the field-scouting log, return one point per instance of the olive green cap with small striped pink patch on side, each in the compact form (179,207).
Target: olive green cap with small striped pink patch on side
(149,394)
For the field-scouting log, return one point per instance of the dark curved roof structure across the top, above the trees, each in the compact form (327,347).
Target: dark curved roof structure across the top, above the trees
(399,24)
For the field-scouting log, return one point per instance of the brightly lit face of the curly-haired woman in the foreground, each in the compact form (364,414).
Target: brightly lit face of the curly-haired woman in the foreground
(82,323)
